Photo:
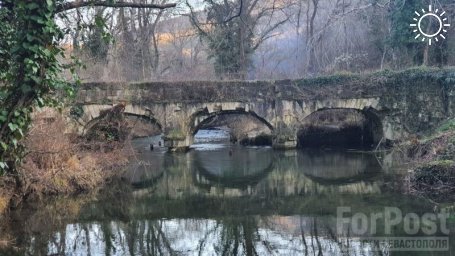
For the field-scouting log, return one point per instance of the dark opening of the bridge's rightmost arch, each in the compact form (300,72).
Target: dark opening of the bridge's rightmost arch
(341,127)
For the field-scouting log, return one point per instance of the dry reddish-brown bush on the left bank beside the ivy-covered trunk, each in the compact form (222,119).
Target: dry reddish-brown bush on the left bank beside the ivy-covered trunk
(58,163)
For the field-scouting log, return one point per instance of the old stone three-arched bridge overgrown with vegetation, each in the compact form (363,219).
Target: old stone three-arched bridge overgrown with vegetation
(393,105)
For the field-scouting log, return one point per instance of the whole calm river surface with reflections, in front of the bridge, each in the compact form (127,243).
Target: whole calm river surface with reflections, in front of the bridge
(221,199)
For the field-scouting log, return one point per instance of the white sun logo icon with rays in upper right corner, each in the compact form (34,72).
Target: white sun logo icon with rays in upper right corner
(441,25)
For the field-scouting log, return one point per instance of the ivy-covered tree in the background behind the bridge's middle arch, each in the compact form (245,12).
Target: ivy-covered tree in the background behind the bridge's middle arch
(235,33)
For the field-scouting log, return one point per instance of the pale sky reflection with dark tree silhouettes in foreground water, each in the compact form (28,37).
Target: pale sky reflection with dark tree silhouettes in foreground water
(291,235)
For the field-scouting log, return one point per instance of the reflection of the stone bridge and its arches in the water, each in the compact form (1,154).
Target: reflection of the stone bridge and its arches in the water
(230,170)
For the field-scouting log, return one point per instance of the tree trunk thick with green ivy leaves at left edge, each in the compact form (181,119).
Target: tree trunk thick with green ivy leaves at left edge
(31,74)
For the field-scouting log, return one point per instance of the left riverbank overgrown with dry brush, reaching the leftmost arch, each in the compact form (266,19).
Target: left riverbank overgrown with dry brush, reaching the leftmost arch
(61,163)
